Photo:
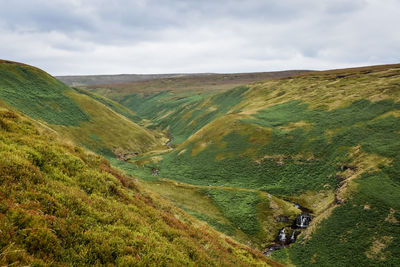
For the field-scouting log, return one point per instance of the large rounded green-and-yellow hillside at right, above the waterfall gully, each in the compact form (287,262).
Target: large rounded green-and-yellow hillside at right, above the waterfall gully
(291,128)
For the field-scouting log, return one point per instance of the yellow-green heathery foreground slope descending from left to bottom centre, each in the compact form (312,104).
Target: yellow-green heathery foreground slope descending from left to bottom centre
(61,205)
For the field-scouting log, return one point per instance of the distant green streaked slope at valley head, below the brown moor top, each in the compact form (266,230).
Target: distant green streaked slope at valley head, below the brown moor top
(182,113)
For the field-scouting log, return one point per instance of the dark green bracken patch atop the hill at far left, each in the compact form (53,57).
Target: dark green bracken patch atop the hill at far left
(38,95)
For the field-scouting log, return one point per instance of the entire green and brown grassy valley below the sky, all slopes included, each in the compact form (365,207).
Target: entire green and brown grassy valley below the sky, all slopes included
(239,152)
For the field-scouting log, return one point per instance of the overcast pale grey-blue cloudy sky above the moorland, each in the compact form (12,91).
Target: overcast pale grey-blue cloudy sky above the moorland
(179,36)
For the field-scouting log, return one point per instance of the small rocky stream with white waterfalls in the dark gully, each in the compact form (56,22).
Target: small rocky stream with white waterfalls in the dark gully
(288,234)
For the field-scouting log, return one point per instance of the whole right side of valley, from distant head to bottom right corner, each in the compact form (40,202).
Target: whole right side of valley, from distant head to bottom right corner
(326,140)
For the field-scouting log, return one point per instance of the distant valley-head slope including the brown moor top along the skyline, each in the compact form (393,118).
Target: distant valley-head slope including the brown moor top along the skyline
(182,104)
